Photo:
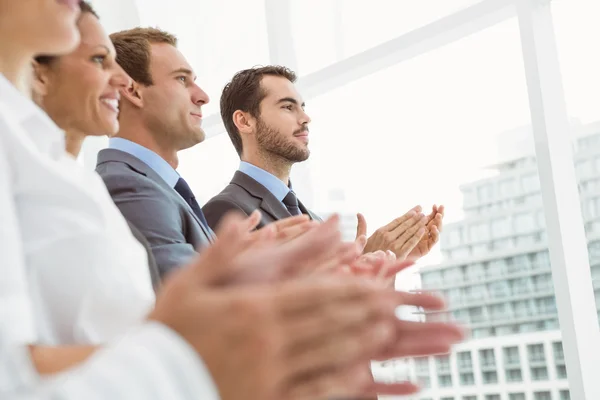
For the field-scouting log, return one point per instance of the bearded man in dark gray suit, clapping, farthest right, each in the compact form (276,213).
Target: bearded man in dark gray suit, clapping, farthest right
(264,115)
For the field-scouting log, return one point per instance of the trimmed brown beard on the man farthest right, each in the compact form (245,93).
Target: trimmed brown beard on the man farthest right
(274,142)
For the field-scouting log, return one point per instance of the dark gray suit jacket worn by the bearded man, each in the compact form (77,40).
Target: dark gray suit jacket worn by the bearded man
(244,194)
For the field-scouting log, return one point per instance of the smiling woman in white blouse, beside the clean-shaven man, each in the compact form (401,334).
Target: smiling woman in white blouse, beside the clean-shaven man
(87,273)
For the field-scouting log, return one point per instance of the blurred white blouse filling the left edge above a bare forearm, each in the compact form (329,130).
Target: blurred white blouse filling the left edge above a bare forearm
(71,271)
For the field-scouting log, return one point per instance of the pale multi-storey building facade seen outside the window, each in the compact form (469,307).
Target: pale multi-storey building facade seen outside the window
(497,279)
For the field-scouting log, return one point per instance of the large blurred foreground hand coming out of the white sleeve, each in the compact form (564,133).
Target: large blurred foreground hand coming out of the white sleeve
(298,340)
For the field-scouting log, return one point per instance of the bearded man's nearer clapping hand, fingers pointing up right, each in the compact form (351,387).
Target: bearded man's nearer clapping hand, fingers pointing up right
(400,236)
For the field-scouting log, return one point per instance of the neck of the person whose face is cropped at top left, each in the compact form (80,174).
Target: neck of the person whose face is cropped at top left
(16,67)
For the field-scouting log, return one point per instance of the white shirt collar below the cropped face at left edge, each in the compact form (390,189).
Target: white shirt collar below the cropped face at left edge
(44,133)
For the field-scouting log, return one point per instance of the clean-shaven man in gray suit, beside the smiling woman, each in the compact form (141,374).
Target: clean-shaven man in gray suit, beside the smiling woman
(160,114)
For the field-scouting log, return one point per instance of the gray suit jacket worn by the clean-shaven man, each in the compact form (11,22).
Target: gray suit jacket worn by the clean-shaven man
(154,208)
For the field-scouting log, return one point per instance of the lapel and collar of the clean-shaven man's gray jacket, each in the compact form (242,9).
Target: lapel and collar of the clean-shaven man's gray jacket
(108,155)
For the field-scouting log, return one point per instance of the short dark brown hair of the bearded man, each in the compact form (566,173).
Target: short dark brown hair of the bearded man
(245,93)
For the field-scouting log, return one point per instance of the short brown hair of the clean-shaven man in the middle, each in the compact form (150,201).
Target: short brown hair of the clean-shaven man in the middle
(133,50)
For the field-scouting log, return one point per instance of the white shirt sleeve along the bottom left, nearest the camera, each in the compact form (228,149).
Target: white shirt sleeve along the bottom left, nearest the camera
(151,363)
